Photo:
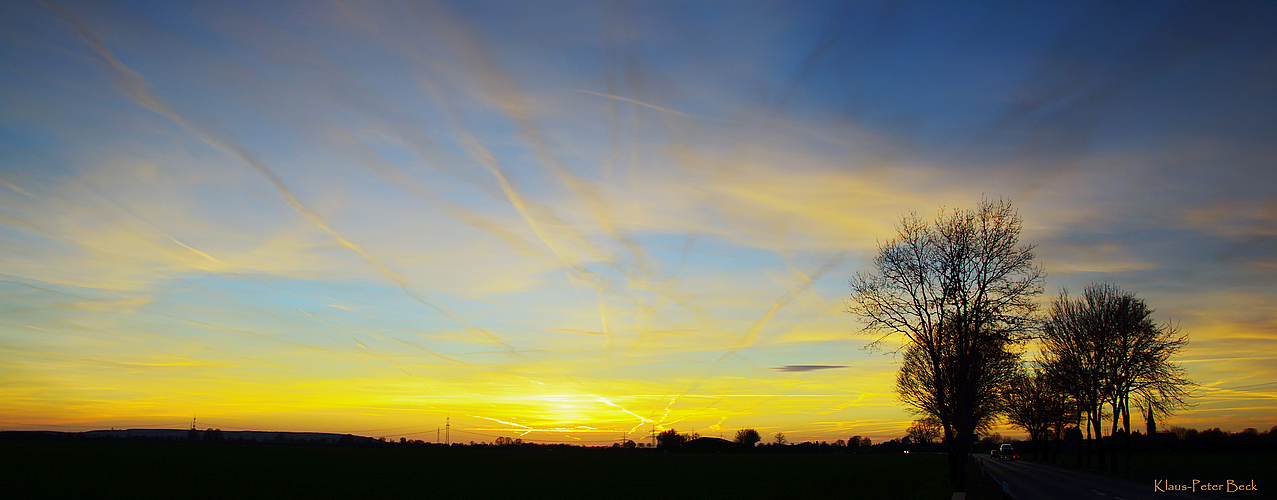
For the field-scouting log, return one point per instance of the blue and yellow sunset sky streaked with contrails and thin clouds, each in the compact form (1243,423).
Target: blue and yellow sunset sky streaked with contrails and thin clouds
(583,221)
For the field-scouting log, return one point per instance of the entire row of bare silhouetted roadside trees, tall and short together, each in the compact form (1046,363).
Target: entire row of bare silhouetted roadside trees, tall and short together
(961,295)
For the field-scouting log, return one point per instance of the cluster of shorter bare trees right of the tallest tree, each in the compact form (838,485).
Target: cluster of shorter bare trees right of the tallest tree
(1103,355)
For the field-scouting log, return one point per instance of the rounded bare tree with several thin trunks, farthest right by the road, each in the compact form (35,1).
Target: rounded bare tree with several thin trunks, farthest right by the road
(1109,350)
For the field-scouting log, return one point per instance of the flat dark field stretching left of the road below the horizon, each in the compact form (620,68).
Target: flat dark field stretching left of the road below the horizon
(90,469)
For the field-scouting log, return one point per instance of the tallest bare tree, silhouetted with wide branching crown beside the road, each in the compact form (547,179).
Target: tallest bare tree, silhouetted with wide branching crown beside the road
(961,291)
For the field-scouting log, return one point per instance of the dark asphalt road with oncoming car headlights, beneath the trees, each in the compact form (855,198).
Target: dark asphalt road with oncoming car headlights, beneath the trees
(1032,482)
